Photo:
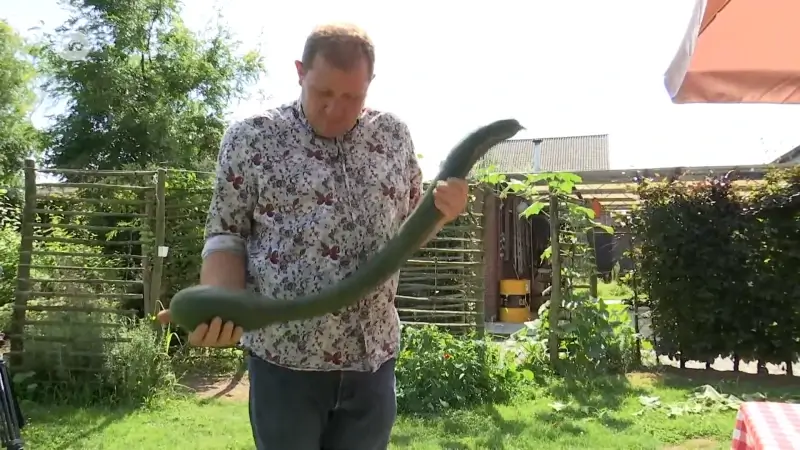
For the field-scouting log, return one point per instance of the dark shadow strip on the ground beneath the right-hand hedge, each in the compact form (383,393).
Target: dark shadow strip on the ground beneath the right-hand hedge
(771,387)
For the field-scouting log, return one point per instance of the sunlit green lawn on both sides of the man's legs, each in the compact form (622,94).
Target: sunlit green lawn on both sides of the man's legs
(560,416)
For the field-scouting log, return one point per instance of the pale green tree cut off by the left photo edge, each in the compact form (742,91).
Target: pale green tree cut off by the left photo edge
(18,137)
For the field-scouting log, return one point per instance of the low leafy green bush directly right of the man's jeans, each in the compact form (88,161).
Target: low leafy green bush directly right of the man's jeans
(437,370)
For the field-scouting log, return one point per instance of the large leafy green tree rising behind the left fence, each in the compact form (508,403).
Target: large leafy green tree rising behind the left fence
(149,91)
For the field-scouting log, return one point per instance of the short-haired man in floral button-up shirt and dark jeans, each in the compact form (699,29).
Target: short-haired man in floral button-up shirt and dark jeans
(305,195)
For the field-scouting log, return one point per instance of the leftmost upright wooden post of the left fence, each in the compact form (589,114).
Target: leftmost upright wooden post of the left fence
(24,267)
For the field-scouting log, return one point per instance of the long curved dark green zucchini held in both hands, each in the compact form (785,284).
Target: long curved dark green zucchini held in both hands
(199,304)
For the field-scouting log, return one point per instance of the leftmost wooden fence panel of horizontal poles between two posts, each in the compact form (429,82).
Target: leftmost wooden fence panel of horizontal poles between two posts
(86,264)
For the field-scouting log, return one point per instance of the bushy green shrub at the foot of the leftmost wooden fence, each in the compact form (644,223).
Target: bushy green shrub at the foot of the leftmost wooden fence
(101,365)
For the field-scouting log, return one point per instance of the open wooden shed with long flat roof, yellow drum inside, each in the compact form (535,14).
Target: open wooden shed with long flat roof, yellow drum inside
(513,245)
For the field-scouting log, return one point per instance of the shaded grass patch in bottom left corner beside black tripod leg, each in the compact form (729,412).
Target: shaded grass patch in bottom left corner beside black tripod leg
(64,427)
